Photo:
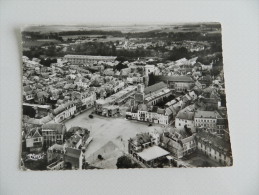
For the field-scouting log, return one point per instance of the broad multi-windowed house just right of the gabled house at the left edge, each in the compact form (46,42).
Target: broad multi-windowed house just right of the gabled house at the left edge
(53,133)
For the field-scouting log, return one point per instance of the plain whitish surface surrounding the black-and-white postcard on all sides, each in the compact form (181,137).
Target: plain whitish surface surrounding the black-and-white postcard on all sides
(240,46)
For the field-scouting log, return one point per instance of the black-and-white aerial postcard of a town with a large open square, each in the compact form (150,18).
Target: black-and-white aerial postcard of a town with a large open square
(122,97)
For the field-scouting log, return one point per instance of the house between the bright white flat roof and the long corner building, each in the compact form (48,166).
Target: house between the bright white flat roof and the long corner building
(179,142)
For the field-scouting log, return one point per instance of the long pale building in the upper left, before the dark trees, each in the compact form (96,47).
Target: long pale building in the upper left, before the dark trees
(82,59)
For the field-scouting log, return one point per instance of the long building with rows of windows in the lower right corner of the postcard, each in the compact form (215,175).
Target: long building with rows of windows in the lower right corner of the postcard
(215,147)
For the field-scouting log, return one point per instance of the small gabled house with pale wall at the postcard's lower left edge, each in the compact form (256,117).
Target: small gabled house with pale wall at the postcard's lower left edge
(34,140)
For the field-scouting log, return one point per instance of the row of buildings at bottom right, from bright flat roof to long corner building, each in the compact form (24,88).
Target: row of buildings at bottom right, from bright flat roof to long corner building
(172,145)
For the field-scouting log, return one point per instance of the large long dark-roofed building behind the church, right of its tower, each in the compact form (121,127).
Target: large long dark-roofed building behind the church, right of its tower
(178,83)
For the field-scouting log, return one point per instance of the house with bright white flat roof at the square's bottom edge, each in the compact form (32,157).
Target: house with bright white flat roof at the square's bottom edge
(145,150)
